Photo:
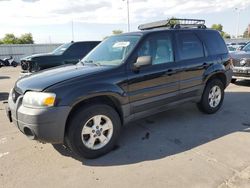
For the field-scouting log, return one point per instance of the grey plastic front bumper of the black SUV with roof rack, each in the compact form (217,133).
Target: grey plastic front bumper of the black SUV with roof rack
(43,124)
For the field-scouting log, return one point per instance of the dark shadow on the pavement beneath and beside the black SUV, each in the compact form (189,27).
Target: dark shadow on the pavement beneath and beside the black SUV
(173,132)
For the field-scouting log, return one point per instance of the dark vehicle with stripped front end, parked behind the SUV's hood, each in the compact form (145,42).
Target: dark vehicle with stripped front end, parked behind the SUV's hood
(68,53)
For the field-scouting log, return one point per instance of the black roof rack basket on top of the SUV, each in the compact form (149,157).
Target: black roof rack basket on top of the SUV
(174,23)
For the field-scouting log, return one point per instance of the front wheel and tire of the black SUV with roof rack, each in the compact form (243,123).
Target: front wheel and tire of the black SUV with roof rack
(93,131)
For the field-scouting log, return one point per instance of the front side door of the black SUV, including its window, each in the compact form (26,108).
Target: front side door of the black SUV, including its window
(156,85)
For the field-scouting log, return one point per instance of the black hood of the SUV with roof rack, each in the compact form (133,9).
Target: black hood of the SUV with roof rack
(44,79)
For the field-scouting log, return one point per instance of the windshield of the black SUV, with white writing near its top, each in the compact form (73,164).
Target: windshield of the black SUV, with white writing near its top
(112,51)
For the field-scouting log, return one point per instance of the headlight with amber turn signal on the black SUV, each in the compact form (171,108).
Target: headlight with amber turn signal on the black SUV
(39,99)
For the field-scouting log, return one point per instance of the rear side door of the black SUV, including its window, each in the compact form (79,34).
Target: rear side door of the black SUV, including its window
(191,59)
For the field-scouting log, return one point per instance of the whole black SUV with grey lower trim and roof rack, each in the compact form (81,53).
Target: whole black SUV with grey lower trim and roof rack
(126,77)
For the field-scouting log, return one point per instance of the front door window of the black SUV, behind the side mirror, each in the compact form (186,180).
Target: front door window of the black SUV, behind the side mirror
(159,47)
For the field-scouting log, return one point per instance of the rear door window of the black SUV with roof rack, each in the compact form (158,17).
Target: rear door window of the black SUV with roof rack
(189,46)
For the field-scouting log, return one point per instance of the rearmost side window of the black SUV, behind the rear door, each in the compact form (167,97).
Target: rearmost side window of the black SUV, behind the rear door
(214,43)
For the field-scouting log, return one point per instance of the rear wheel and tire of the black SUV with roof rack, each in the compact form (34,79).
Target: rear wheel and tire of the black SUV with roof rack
(212,97)
